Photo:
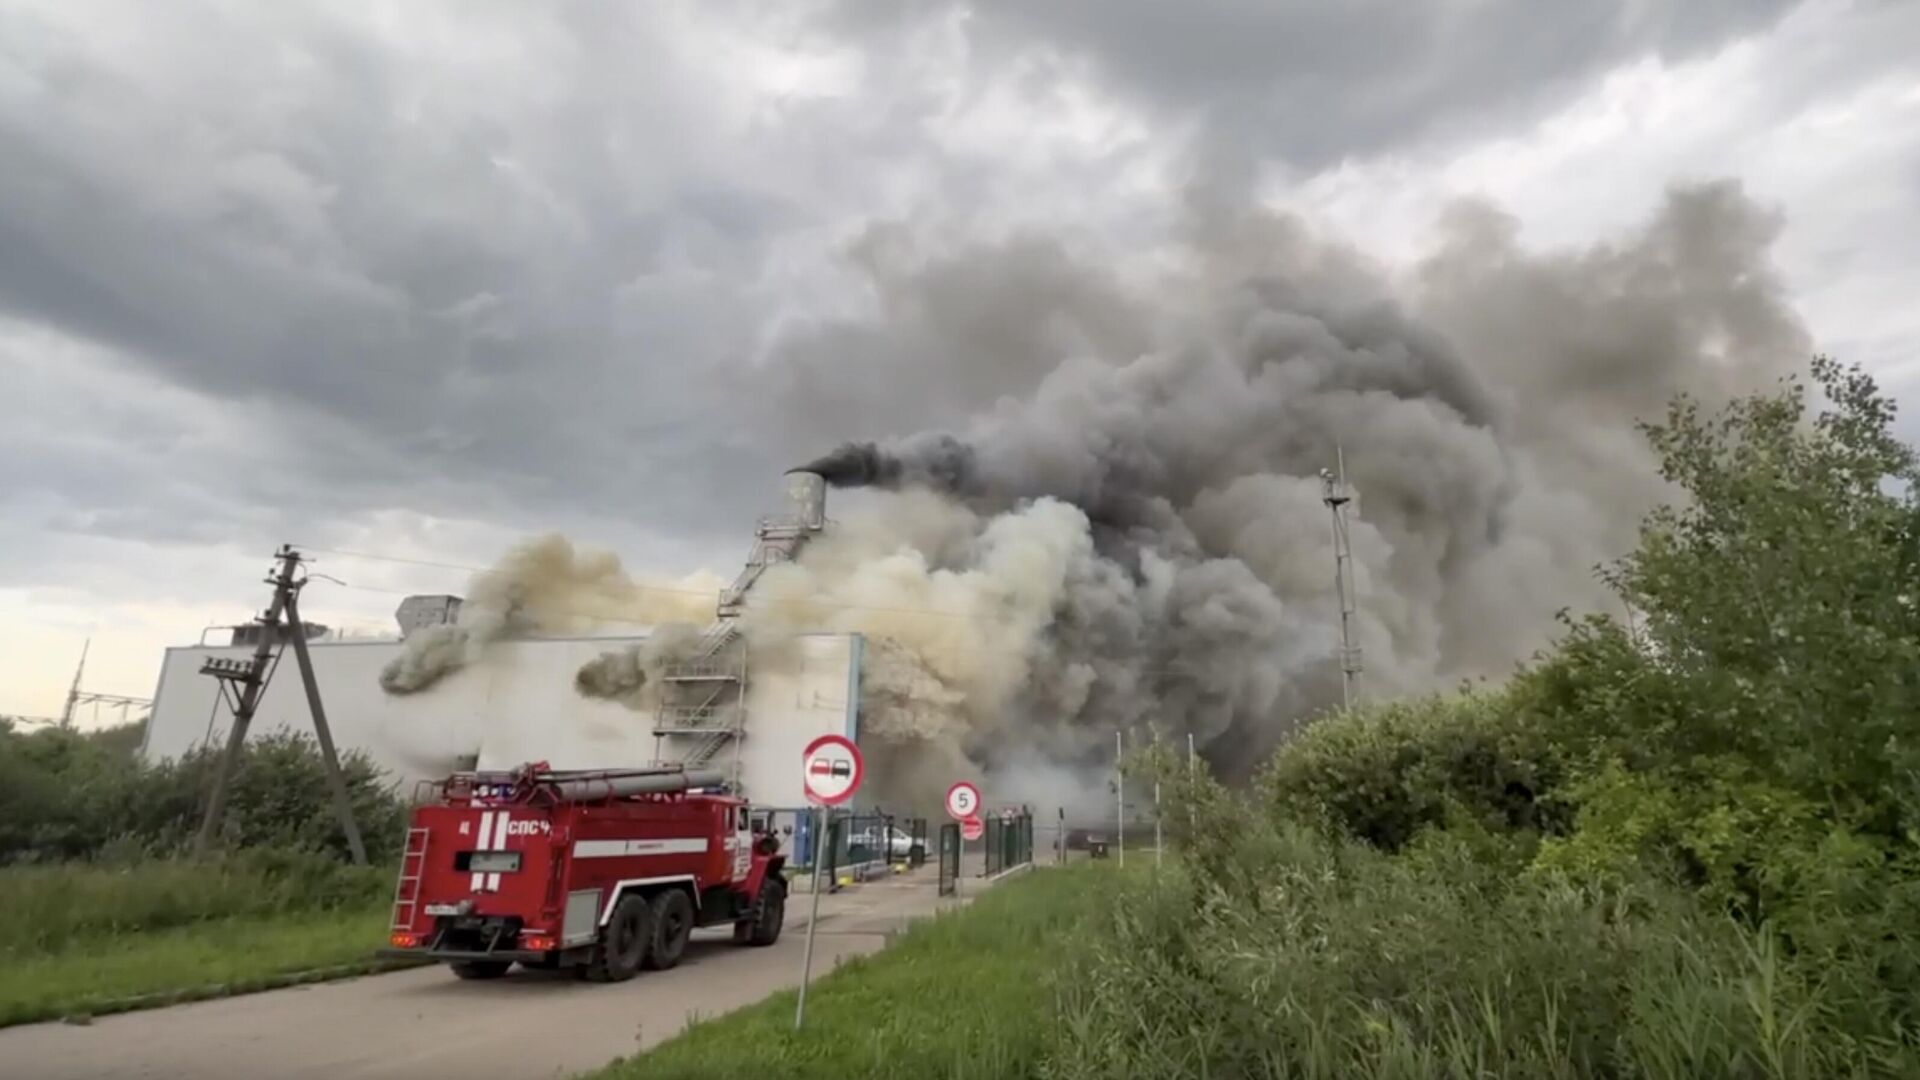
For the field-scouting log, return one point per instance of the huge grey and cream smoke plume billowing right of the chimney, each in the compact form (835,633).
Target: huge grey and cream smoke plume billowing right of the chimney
(1141,539)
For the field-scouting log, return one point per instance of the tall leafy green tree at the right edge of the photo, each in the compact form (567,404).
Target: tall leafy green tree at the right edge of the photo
(1767,716)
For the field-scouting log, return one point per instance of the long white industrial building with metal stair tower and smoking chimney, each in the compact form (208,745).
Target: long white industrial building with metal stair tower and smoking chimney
(519,704)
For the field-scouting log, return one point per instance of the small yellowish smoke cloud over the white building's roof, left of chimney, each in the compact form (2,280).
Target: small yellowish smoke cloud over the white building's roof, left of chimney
(548,587)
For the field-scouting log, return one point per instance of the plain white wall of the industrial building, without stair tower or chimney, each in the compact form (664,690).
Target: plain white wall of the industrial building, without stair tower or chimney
(514,708)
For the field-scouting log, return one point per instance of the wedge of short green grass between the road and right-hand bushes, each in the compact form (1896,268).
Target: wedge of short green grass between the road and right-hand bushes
(963,994)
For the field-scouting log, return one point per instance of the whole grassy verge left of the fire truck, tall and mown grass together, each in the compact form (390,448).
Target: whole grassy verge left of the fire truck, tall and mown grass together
(84,941)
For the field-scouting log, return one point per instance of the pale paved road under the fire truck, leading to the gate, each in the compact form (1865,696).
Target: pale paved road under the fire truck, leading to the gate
(425,1023)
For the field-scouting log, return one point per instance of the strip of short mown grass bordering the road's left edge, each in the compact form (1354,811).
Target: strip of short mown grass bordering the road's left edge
(185,964)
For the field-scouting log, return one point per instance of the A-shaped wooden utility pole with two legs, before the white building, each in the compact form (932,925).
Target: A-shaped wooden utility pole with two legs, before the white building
(251,683)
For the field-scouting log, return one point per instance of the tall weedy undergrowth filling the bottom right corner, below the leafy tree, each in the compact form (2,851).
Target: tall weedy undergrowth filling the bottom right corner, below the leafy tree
(1328,958)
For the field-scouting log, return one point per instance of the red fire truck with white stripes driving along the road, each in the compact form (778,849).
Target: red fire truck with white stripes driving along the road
(600,871)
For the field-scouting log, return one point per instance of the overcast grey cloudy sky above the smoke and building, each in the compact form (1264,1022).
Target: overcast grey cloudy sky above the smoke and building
(427,278)
